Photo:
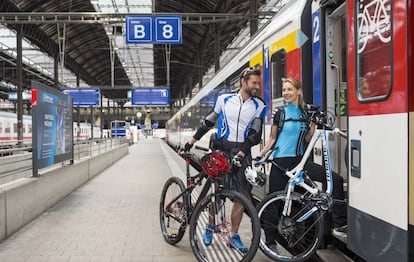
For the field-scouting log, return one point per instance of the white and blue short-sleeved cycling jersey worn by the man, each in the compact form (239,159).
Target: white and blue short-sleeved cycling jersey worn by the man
(236,116)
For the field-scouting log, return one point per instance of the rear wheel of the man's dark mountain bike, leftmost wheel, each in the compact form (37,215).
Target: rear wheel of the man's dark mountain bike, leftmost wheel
(173,216)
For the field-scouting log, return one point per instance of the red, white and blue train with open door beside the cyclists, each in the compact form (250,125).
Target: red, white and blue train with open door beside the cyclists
(354,59)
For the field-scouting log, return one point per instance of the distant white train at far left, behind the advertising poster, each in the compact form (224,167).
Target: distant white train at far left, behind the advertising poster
(8,130)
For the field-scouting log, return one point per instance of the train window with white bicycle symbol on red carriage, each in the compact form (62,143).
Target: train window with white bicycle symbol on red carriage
(373,36)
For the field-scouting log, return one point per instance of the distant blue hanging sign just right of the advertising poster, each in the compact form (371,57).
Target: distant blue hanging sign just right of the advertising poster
(83,96)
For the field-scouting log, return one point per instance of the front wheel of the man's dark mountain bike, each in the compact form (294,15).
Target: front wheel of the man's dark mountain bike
(221,247)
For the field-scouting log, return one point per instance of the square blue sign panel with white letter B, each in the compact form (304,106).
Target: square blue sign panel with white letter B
(139,29)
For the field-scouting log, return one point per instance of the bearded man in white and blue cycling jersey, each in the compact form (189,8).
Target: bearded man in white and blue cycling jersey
(239,120)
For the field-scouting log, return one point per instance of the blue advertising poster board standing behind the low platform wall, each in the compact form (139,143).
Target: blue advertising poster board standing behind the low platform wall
(52,126)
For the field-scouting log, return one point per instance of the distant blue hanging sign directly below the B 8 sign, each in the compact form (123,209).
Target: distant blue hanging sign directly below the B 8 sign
(150,96)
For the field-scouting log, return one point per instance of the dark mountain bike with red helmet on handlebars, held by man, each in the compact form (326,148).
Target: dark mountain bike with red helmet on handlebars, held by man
(180,205)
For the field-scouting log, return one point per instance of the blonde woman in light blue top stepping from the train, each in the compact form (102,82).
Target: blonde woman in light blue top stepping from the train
(291,130)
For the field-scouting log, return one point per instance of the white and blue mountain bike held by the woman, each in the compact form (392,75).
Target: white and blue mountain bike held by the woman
(297,218)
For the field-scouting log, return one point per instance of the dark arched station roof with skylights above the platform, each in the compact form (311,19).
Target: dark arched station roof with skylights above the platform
(88,35)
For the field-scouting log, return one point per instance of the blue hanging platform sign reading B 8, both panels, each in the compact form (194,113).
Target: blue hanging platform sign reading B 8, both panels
(153,30)
